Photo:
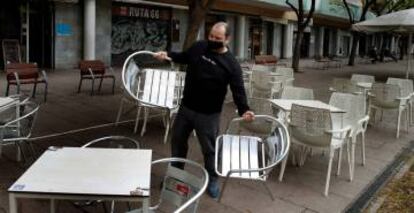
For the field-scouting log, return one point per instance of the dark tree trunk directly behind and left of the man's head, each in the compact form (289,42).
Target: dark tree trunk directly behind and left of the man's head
(198,10)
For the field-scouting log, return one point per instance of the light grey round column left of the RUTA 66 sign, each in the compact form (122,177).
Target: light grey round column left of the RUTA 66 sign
(89,30)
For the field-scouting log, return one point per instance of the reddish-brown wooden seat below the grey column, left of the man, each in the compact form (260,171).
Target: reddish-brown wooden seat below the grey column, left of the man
(94,69)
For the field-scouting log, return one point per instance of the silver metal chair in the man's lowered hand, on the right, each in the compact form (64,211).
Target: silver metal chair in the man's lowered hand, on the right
(250,150)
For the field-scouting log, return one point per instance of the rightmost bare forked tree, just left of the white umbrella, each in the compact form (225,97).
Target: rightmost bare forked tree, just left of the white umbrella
(352,20)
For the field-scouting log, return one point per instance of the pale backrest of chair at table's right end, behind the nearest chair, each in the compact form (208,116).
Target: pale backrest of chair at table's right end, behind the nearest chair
(353,105)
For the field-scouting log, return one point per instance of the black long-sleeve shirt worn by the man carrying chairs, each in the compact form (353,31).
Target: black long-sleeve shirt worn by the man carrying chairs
(208,75)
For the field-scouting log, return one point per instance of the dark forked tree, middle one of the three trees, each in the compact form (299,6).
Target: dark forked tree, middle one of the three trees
(302,23)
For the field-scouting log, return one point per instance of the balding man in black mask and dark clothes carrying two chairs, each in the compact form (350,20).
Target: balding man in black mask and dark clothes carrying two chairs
(211,68)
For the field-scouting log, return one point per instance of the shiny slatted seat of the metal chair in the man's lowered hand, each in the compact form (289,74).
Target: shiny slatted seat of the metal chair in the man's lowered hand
(240,152)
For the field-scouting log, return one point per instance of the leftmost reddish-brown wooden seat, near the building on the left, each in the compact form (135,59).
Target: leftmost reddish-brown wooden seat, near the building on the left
(25,73)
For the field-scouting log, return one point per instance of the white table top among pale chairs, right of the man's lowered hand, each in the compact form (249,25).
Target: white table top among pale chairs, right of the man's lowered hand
(286,104)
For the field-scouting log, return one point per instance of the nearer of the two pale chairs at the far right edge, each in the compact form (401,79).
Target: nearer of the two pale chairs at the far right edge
(388,96)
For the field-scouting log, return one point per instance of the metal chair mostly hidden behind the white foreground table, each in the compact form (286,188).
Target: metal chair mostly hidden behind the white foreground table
(113,141)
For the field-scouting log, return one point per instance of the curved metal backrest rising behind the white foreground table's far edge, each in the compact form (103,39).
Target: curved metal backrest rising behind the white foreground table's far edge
(113,141)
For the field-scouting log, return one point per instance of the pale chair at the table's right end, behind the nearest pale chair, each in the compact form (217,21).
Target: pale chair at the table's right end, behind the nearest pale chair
(355,107)
